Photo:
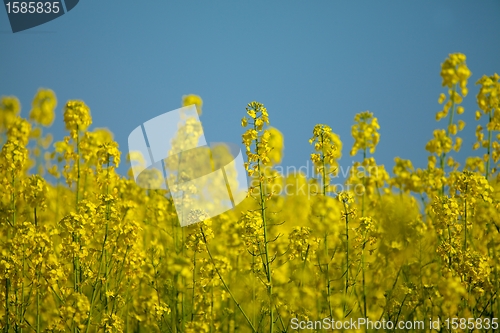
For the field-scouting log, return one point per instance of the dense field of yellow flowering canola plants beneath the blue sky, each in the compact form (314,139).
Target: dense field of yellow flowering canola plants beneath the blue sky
(84,249)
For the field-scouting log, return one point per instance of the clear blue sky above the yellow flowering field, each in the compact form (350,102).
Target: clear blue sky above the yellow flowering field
(309,62)
